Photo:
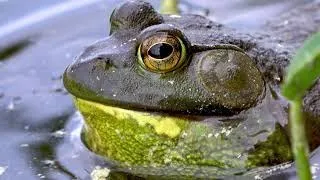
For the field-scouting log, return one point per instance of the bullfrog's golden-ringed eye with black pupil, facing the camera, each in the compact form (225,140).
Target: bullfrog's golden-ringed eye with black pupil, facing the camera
(161,53)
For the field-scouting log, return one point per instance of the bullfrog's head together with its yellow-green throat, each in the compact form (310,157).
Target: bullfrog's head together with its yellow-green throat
(176,66)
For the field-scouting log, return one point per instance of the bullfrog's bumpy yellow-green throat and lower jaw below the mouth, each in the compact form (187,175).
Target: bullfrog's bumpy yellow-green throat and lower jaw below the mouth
(140,139)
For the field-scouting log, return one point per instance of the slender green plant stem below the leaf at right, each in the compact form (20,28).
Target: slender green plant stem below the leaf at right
(299,140)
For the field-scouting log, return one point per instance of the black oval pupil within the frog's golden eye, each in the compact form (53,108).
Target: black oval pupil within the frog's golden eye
(160,50)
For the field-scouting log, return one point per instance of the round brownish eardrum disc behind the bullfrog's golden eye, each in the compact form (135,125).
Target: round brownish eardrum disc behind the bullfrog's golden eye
(231,77)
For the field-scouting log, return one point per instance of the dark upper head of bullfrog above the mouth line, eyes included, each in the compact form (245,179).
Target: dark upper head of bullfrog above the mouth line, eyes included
(149,64)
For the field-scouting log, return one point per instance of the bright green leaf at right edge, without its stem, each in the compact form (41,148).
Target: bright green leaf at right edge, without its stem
(303,69)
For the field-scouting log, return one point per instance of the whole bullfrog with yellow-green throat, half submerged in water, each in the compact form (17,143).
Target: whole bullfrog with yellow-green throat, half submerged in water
(182,96)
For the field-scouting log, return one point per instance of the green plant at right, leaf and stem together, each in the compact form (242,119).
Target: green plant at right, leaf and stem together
(302,73)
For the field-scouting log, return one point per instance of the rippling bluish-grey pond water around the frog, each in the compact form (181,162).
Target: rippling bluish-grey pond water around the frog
(39,127)
